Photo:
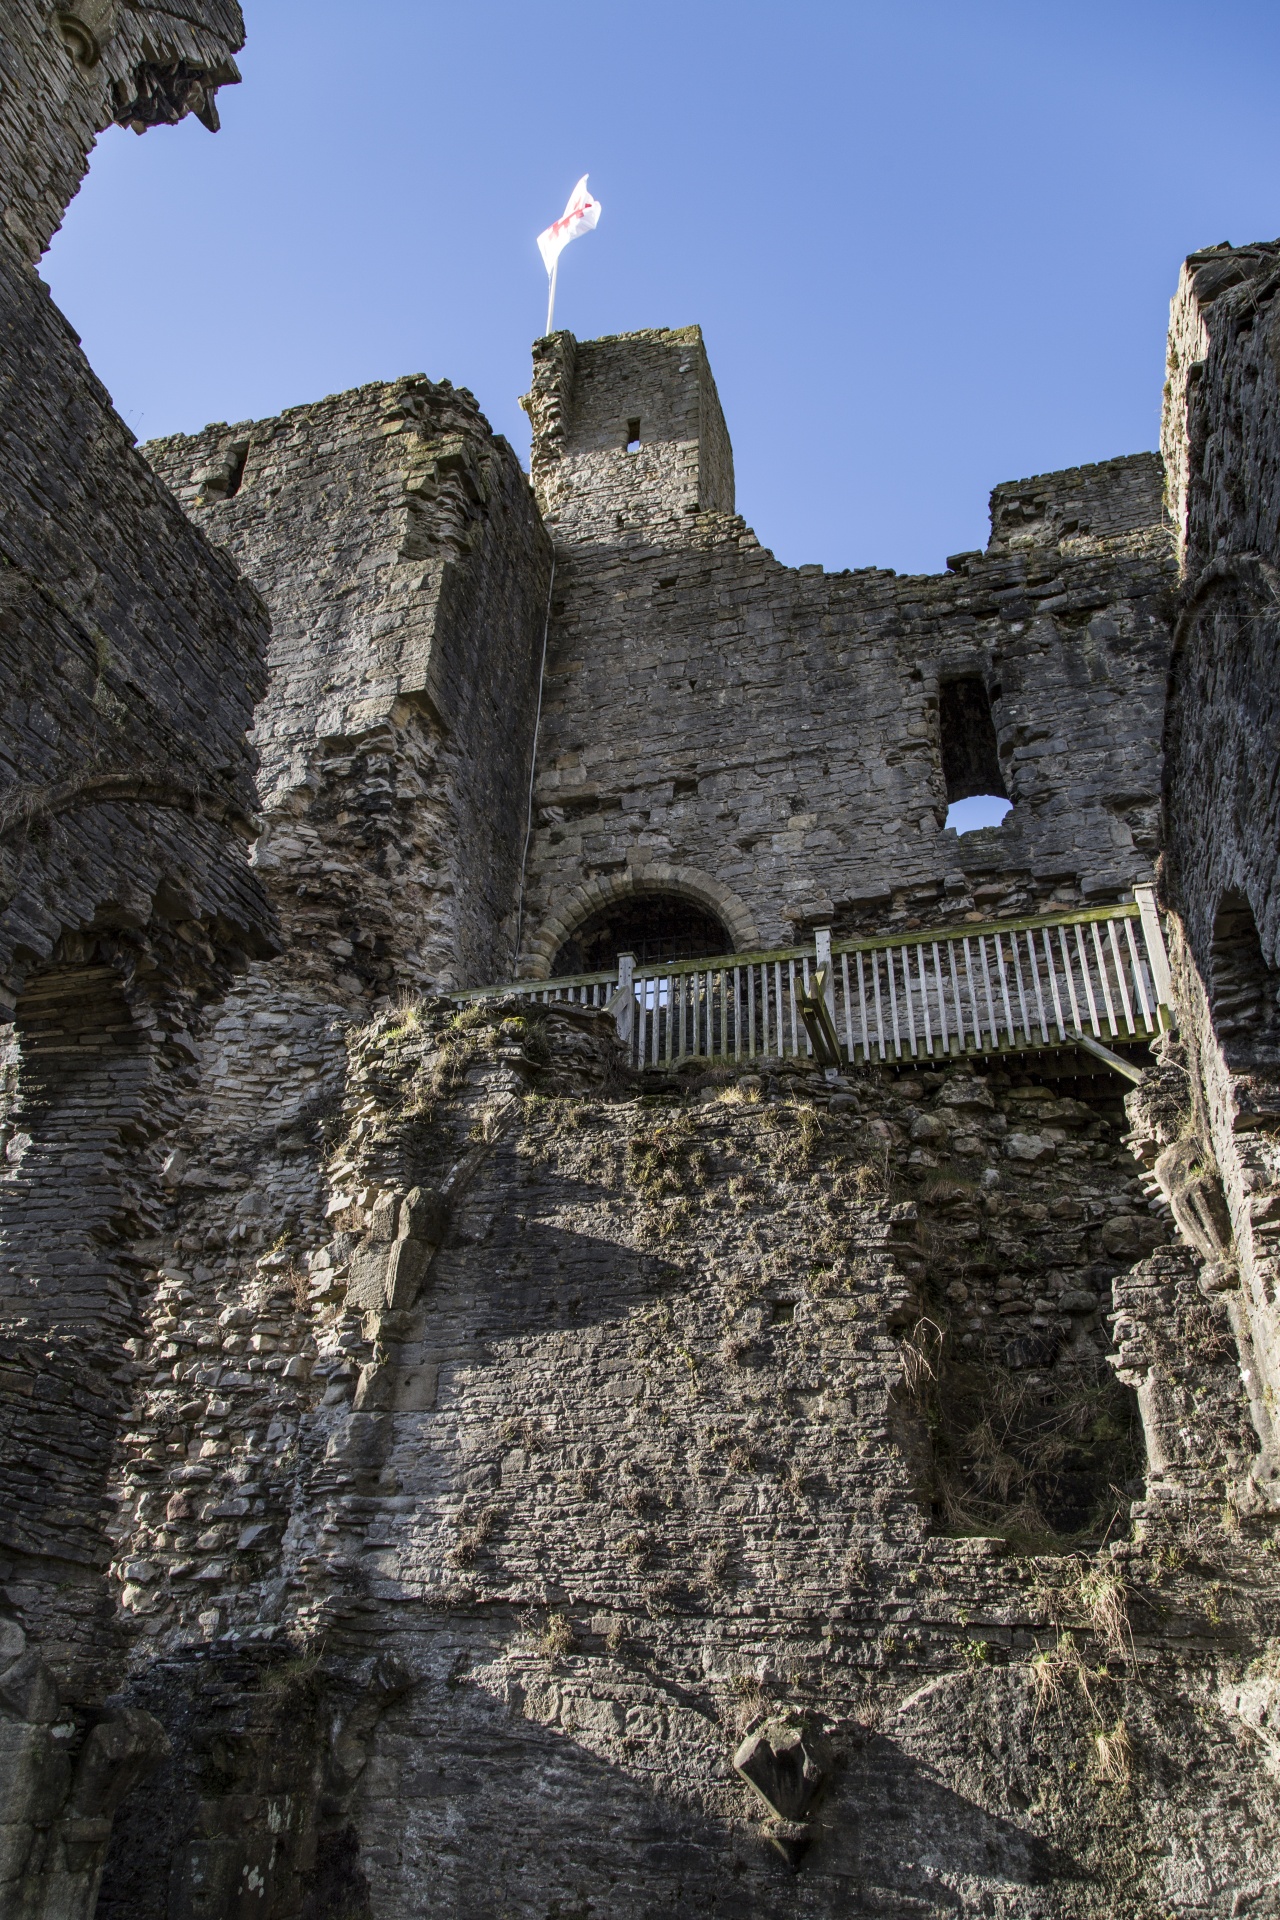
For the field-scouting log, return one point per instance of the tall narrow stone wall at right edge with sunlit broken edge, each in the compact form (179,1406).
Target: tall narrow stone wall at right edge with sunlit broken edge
(1223,777)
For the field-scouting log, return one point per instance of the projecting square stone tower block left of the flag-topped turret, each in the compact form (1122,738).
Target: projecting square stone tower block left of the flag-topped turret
(400,552)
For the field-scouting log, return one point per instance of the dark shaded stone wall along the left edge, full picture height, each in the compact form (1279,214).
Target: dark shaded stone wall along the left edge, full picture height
(131,656)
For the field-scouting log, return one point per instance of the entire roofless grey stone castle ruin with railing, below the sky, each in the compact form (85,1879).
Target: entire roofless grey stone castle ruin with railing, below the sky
(602,1316)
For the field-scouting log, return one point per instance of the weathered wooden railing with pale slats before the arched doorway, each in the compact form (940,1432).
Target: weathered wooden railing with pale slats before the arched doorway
(968,990)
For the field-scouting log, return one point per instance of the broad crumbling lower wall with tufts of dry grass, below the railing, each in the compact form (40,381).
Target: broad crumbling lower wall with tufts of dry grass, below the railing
(644,1428)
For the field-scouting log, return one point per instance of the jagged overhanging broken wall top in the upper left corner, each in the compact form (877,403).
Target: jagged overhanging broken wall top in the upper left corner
(70,72)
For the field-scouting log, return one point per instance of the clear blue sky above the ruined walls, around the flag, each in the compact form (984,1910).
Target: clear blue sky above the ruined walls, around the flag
(932,245)
